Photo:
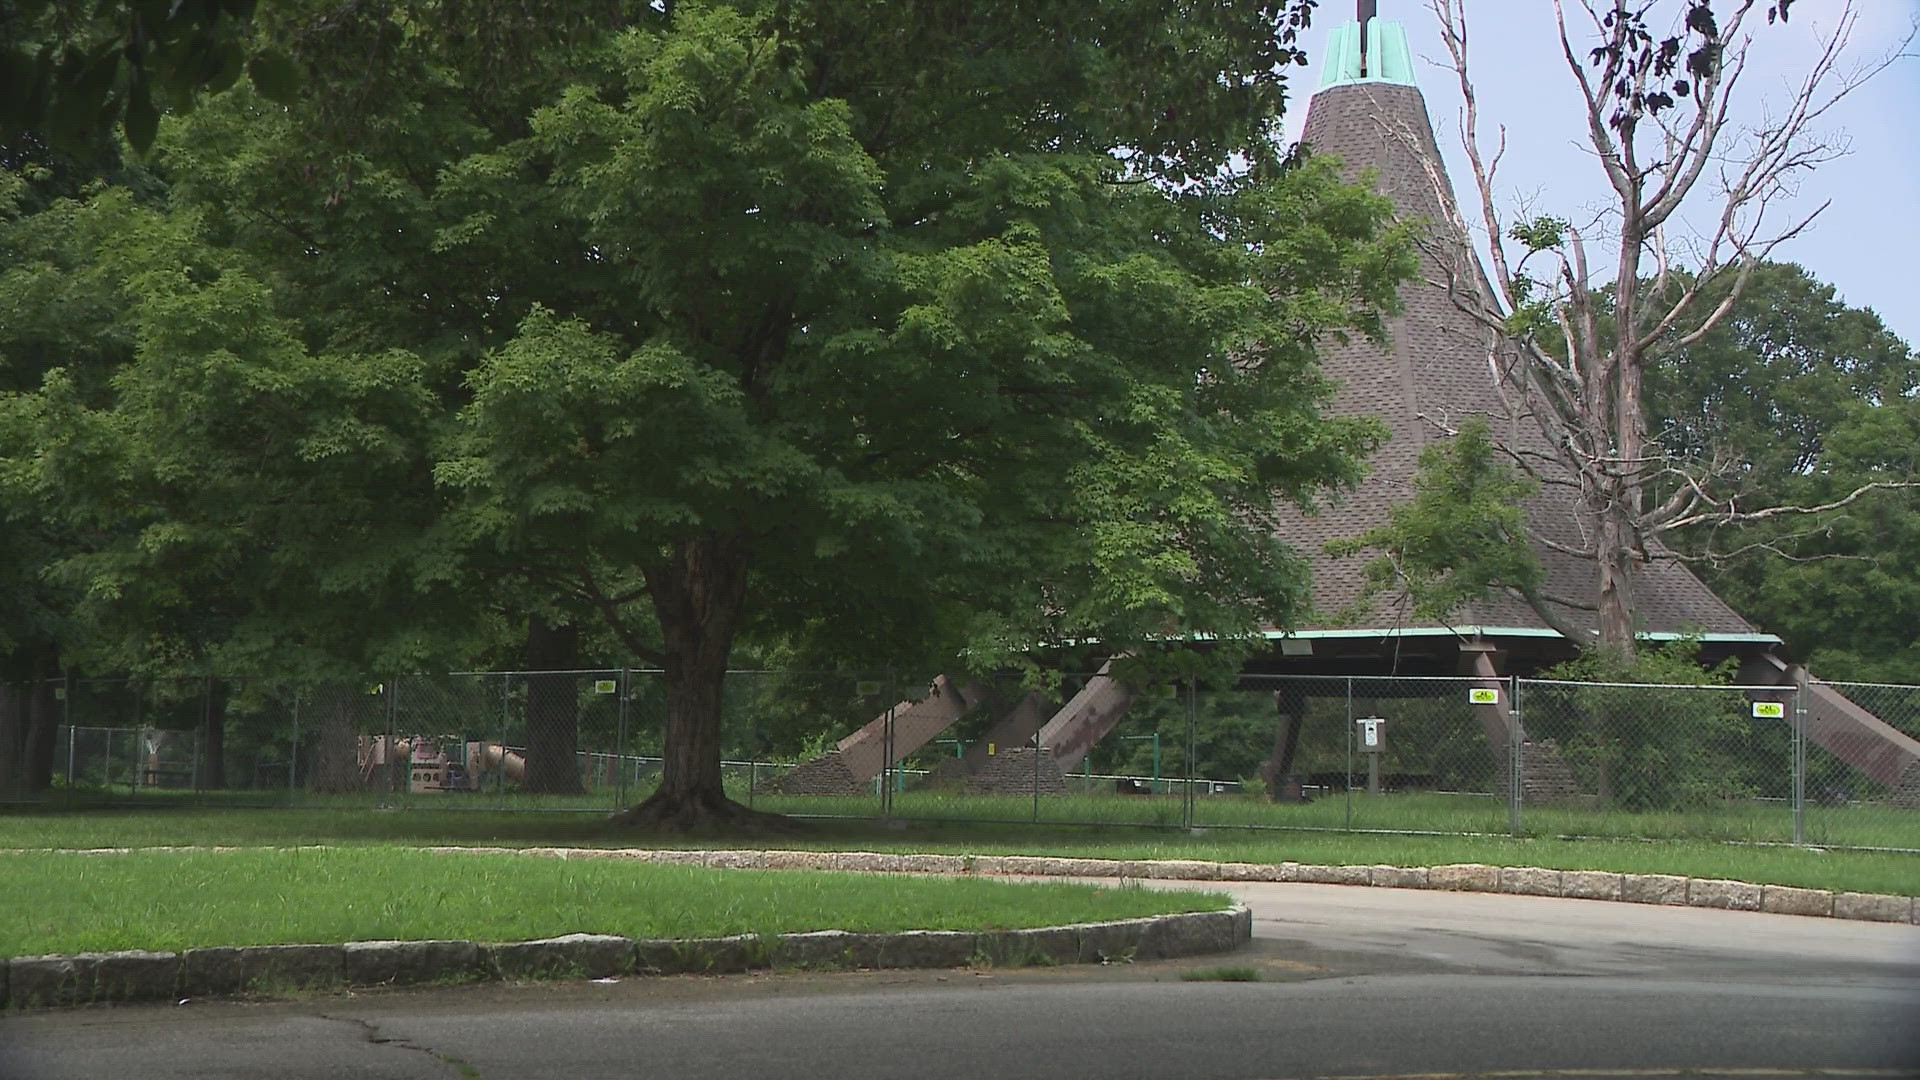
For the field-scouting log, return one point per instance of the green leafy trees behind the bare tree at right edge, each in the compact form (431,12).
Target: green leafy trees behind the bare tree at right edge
(1815,401)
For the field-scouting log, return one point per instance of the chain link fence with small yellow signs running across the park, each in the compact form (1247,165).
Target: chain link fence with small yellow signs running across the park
(1831,766)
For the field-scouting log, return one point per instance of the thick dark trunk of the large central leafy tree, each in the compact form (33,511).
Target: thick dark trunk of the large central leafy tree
(698,597)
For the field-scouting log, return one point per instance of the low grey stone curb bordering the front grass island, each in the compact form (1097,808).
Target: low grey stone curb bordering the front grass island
(130,977)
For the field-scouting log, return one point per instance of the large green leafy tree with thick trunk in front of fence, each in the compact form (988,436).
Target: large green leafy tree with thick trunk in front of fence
(911,331)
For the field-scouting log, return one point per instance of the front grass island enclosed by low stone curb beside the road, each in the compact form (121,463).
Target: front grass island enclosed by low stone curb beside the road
(176,900)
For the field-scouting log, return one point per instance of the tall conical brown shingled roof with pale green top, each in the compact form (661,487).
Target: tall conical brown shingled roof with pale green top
(1433,376)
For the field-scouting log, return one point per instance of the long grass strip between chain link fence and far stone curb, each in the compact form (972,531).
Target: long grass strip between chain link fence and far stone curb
(1858,871)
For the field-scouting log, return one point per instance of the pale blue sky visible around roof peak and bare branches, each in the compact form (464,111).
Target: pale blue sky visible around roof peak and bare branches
(1867,243)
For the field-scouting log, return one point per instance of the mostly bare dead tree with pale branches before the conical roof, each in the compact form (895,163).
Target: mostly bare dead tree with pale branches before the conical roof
(1575,310)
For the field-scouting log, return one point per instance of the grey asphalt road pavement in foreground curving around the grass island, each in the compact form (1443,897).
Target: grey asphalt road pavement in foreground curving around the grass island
(1355,983)
